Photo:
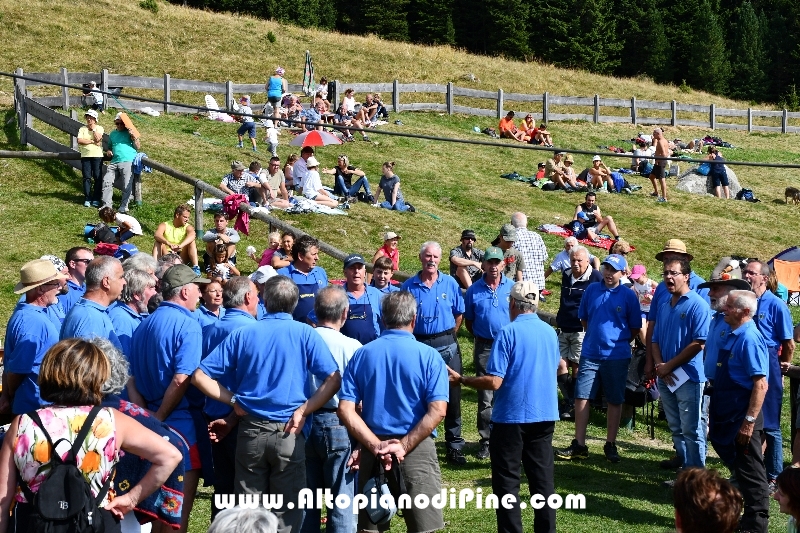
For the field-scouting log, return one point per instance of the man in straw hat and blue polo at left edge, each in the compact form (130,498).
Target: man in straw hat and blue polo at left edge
(29,334)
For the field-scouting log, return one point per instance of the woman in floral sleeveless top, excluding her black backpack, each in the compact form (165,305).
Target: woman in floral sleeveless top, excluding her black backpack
(71,376)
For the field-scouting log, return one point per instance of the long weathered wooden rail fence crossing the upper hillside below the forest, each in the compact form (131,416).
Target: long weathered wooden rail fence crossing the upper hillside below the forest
(543,107)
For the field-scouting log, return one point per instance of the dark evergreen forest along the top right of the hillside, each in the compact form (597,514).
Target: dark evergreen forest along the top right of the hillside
(744,49)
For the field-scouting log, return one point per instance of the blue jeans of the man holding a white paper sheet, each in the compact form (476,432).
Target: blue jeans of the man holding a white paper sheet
(682,408)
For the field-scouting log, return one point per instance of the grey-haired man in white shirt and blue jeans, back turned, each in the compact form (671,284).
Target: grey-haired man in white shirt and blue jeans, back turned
(328,447)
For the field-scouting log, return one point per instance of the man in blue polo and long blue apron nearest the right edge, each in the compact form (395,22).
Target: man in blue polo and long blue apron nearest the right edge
(774,321)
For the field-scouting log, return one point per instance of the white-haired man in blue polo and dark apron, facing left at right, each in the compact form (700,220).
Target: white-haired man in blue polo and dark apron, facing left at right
(736,418)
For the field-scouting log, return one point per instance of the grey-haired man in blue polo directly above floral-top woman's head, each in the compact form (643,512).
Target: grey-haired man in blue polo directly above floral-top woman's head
(89,316)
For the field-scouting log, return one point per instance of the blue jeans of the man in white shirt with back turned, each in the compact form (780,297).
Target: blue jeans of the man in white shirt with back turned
(327,452)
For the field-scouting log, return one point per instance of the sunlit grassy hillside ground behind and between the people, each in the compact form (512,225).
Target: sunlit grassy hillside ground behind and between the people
(41,204)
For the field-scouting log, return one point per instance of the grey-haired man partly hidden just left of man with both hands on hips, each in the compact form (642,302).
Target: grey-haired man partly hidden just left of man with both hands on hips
(240,299)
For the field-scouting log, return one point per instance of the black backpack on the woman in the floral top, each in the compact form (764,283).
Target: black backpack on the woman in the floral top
(64,502)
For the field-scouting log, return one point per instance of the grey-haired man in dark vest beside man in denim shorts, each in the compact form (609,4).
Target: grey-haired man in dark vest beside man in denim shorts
(574,281)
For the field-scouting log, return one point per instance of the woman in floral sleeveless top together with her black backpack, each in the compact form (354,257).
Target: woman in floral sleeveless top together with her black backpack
(72,480)
